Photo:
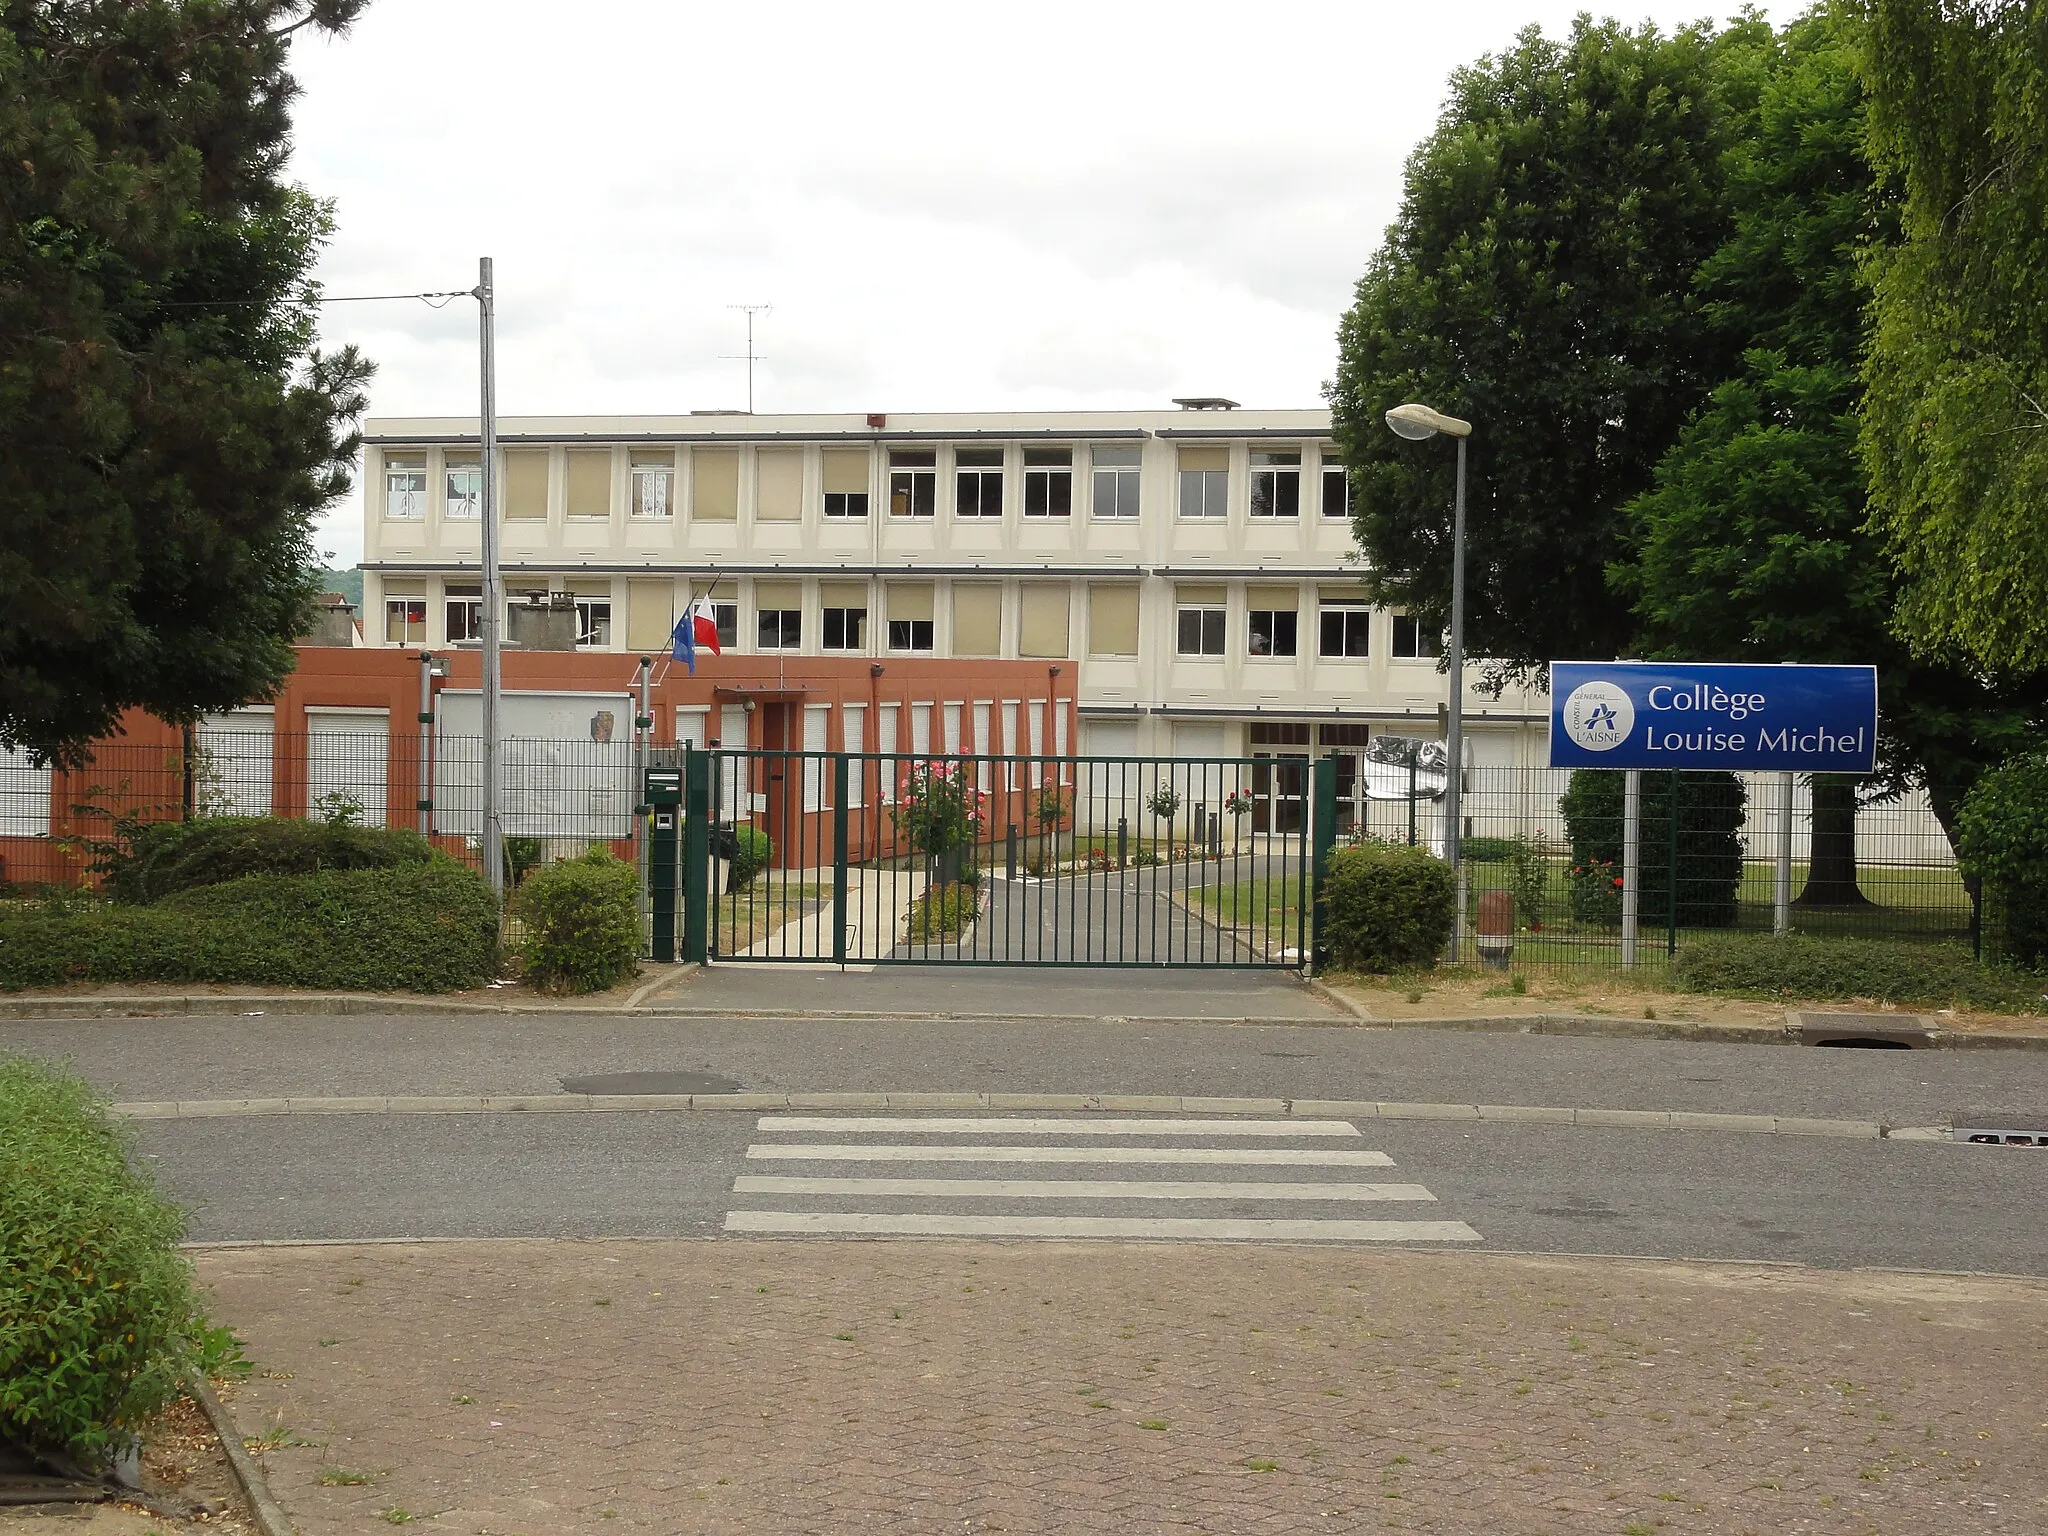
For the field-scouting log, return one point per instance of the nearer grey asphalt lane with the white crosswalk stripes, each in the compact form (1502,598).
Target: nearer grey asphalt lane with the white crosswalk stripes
(1523,1189)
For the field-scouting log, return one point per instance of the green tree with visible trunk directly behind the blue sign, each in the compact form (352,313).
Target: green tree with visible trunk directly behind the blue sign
(1752,544)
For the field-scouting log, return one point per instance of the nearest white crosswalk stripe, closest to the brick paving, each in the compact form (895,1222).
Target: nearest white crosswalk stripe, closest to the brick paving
(851,1224)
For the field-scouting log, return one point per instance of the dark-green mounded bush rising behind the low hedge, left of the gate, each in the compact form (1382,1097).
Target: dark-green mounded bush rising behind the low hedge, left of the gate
(167,857)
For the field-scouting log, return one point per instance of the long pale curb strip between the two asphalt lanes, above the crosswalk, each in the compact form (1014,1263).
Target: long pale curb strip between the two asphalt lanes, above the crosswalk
(1312,1109)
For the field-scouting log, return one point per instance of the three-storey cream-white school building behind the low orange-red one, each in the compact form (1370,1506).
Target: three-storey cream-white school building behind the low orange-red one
(1193,568)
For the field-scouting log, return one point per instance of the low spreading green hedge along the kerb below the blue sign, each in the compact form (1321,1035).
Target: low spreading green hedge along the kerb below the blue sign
(1842,970)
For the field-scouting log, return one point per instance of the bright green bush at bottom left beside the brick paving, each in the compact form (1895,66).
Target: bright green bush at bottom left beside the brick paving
(97,1318)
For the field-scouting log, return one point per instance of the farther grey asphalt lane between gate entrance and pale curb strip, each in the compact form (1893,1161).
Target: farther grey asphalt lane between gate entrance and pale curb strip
(534,1054)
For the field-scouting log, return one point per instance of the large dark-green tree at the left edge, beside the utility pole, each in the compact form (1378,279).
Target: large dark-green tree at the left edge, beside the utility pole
(167,431)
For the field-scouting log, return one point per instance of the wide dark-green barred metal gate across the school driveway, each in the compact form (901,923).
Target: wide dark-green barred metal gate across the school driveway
(951,859)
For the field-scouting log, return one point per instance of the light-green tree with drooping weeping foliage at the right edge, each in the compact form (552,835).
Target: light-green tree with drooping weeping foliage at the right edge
(1957,413)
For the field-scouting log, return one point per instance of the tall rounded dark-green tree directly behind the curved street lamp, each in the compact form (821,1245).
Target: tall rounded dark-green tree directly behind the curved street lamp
(1541,284)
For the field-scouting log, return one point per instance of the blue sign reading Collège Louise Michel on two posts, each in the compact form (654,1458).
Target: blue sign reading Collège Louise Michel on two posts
(1814,720)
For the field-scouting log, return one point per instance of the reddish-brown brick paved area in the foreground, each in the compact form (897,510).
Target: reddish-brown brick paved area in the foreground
(1068,1388)
